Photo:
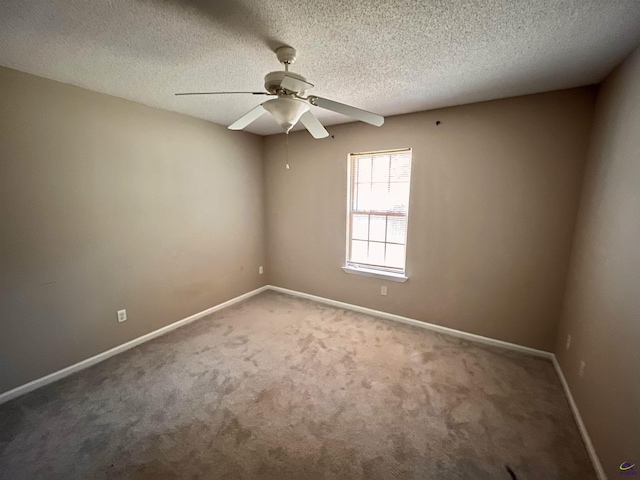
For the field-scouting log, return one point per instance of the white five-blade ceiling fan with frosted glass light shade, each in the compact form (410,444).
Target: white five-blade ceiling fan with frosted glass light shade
(291,105)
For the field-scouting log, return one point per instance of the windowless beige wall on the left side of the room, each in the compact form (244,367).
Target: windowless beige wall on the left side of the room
(107,204)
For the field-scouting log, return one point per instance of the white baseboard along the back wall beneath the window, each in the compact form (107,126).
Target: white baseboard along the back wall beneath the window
(417,323)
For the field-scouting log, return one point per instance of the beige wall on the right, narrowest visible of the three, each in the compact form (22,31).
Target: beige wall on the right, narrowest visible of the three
(602,306)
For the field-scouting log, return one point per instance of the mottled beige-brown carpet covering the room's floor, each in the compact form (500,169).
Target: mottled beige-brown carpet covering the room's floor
(284,388)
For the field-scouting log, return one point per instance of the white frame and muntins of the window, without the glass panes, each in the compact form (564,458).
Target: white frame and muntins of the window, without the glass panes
(371,270)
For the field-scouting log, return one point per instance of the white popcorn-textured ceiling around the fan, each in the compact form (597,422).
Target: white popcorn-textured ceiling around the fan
(390,57)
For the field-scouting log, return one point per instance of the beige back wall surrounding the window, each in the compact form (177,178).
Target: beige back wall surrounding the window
(495,191)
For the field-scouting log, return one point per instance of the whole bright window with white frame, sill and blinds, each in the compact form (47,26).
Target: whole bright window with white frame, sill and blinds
(378,213)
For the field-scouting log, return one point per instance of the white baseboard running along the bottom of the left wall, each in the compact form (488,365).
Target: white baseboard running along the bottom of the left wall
(52,377)
